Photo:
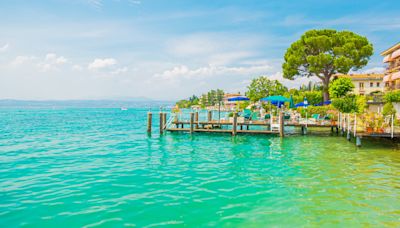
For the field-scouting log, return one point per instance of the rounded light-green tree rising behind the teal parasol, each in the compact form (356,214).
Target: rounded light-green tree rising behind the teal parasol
(263,87)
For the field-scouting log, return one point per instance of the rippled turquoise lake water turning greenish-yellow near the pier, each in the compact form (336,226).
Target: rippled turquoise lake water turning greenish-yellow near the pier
(97,167)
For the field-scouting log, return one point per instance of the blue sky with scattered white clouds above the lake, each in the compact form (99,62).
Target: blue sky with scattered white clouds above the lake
(98,49)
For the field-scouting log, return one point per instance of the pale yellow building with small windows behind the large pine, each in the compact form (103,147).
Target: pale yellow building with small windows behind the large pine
(365,84)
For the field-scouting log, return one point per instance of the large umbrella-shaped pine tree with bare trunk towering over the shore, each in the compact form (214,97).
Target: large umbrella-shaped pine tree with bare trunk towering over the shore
(323,53)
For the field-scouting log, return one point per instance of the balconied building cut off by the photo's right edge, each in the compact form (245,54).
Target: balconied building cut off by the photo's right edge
(391,57)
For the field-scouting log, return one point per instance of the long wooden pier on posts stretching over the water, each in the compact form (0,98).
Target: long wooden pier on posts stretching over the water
(346,125)
